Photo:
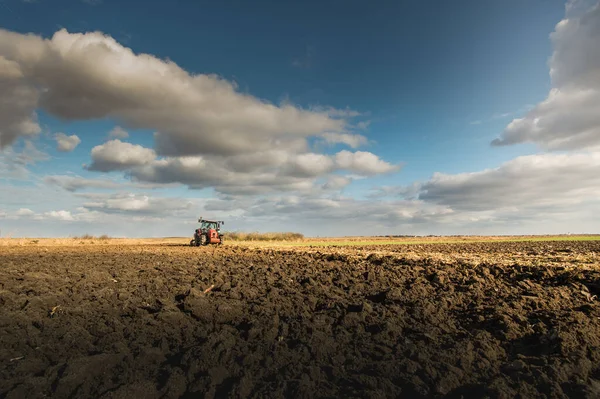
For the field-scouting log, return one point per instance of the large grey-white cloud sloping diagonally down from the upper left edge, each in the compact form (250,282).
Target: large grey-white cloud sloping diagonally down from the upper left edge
(88,76)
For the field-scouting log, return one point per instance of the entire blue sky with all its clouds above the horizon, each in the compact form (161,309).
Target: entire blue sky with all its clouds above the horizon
(422,88)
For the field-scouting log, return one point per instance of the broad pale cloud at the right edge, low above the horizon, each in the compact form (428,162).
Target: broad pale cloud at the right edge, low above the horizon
(546,180)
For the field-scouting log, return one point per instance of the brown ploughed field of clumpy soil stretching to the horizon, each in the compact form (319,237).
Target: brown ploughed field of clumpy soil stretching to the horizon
(128,319)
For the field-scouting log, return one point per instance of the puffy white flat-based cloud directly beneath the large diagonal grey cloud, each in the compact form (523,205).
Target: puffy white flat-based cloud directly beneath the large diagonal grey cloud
(273,171)
